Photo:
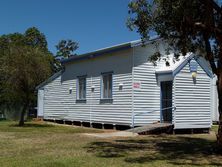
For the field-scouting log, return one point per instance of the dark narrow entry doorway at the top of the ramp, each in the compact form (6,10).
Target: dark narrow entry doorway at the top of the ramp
(166,101)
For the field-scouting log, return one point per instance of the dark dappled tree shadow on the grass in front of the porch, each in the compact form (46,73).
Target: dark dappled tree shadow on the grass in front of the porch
(178,150)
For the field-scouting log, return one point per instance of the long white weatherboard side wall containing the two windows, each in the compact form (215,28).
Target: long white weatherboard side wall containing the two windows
(61,104)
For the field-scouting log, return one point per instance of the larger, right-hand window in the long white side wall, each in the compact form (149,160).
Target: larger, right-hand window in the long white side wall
(106,91)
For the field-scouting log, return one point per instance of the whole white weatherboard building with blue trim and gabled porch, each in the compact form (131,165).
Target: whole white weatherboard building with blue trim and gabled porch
(118,85)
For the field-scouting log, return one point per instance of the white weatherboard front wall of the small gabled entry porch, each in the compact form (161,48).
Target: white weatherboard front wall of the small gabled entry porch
(192,101)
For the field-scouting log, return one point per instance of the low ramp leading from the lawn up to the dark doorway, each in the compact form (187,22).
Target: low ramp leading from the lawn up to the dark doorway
(152,128)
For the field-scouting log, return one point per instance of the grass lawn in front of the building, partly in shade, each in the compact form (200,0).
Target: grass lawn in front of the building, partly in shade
(40,145)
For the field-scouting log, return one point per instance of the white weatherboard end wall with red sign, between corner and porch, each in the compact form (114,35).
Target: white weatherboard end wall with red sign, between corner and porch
(147,96)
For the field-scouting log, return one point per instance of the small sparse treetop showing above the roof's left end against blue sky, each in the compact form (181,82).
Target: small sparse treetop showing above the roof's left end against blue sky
(65,48)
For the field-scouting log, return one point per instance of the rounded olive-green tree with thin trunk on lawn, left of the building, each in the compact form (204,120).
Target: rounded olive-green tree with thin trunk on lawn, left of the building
(23,69)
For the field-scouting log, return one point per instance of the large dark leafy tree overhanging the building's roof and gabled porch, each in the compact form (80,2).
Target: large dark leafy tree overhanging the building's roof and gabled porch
(188,26)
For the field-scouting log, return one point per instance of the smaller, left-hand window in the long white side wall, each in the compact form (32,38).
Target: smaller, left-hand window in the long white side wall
(81,88)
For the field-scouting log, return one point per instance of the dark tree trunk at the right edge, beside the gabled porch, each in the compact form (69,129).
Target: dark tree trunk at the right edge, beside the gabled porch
(219,90)
